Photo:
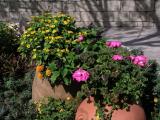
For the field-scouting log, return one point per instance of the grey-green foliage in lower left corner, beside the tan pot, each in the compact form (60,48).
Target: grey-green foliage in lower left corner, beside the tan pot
(15,98)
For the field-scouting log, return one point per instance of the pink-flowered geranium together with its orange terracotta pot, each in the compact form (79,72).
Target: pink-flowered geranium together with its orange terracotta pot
(116,82)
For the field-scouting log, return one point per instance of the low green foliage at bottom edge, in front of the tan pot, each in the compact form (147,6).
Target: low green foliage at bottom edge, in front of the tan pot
(58,110)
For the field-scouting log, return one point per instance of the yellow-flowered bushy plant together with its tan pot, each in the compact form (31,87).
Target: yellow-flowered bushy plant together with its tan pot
(53,43)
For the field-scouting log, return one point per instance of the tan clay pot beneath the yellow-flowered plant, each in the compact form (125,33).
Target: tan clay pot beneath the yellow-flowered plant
(42,89)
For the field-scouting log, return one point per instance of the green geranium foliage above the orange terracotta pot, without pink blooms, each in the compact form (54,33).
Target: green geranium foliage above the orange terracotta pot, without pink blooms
(116,83)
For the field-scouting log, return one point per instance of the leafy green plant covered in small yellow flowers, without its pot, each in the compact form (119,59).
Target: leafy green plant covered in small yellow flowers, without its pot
(53,42)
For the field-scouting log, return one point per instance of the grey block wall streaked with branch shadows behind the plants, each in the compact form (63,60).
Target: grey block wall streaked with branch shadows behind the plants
(107,13)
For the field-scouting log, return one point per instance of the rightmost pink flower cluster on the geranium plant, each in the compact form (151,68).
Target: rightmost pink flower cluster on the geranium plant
(139,60)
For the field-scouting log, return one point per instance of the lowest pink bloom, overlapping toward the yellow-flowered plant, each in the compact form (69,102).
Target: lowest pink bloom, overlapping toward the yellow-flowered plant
(80,75)
